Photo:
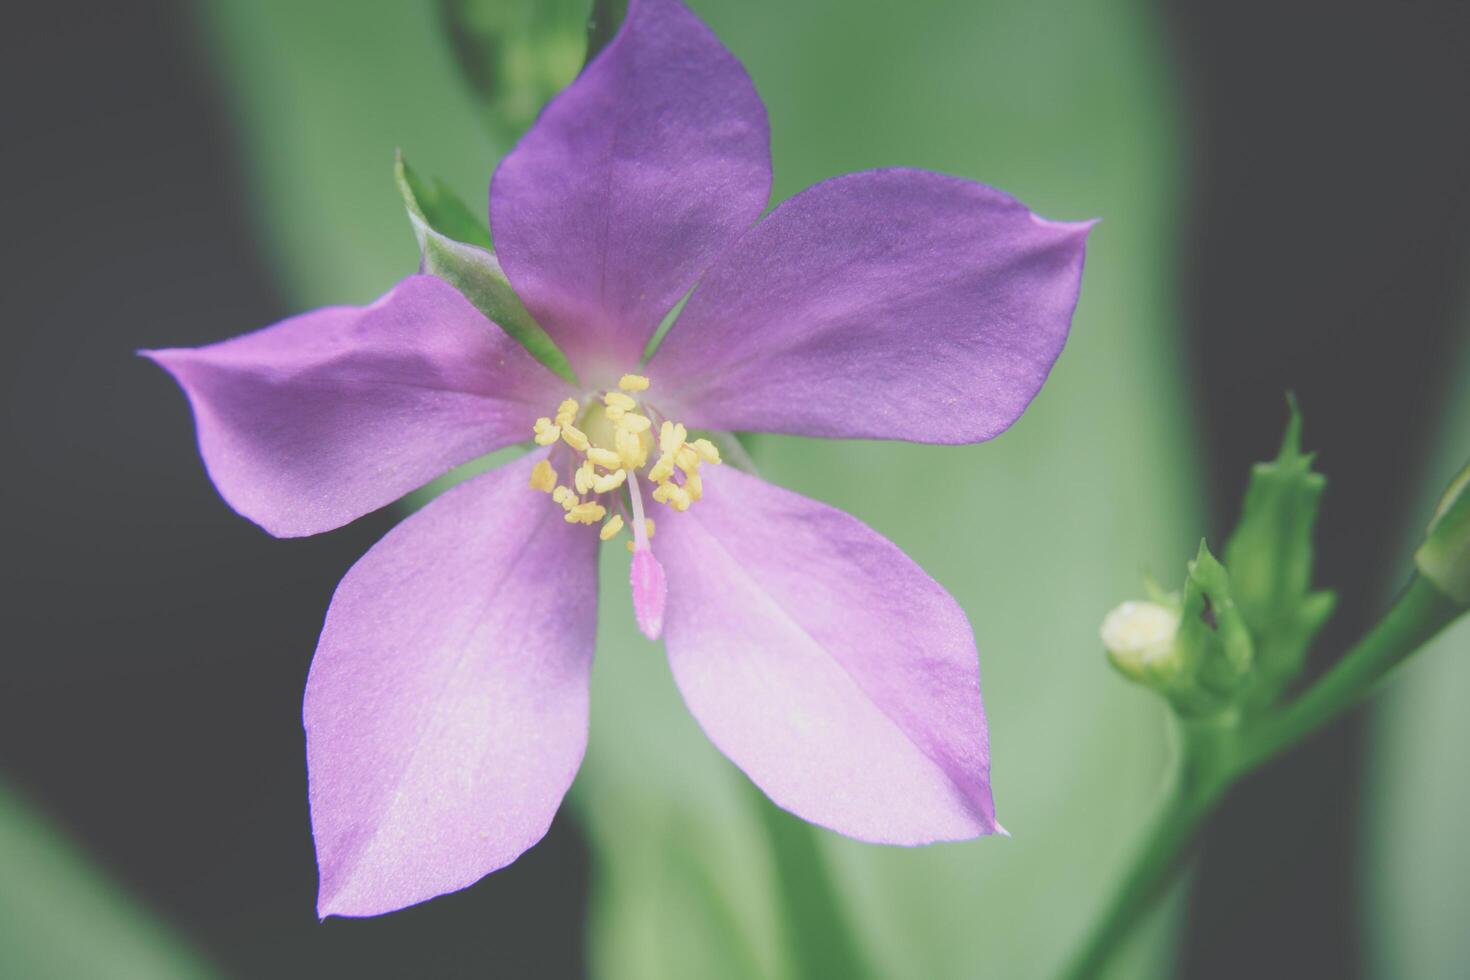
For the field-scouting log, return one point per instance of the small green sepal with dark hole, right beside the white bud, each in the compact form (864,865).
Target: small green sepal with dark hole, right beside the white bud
(1213,647)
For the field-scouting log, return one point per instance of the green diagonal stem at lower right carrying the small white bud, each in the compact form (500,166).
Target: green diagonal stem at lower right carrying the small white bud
(1213,759)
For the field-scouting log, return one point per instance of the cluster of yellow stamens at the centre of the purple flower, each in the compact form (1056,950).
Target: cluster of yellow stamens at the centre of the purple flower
(600,449)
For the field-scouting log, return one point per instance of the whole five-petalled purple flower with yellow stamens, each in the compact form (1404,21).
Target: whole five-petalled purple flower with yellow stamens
(446,710)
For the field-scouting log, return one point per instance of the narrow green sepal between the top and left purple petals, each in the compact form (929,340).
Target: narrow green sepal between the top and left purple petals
(456,249)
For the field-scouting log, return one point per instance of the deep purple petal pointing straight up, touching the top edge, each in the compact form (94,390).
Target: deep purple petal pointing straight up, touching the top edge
(634,179)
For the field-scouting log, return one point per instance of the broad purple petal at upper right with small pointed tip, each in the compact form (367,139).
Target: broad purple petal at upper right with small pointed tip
(892,305)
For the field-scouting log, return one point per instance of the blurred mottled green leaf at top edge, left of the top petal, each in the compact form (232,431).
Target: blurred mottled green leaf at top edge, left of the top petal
(517,55)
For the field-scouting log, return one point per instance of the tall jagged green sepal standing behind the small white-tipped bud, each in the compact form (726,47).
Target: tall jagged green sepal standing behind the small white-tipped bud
(1271,559)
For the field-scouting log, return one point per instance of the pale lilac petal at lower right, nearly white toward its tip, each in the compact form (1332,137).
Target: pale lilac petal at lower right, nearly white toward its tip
(827,665)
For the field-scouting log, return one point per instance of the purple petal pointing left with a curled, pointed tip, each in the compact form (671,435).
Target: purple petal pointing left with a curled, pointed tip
(324,418)
